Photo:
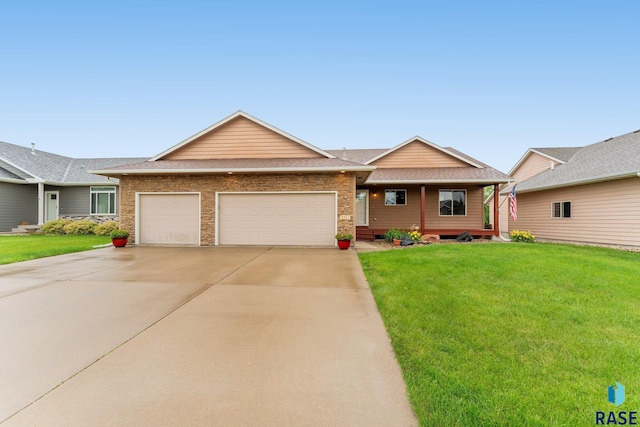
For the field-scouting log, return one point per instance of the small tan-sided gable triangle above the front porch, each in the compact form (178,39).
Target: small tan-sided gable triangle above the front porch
(418,155)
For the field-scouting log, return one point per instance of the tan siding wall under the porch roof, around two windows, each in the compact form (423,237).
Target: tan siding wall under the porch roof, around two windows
(403,217)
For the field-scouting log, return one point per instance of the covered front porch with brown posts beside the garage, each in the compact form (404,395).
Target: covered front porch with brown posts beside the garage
(442,209)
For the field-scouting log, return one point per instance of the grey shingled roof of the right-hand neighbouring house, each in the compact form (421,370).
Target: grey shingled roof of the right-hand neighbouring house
(614,158)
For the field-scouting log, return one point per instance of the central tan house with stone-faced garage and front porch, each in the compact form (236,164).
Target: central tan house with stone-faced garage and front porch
(245,182)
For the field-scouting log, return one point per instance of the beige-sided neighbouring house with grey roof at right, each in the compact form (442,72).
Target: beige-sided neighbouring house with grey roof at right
(592,197)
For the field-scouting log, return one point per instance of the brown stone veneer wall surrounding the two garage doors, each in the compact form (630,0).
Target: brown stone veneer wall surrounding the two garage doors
(208,185)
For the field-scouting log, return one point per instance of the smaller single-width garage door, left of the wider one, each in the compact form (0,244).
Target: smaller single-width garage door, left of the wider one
(169,219)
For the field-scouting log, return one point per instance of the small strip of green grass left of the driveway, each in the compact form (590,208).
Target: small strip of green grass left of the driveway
(22,248)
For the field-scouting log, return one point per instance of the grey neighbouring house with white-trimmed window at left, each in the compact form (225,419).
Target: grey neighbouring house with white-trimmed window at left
(36,187)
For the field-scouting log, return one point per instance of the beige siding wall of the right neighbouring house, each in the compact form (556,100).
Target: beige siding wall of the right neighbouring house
(606,212)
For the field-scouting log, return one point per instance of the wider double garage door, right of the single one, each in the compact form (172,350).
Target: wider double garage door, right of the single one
(307,219)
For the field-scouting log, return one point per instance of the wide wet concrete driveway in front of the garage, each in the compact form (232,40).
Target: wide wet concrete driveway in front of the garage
(195,336)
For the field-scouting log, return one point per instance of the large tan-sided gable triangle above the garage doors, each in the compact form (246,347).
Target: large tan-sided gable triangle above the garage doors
(241,138)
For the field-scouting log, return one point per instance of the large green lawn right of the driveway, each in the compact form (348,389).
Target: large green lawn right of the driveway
(511,334)
